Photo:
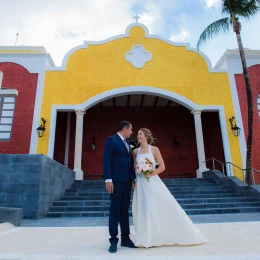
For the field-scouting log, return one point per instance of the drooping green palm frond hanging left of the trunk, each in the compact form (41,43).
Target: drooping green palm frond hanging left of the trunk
(214,29)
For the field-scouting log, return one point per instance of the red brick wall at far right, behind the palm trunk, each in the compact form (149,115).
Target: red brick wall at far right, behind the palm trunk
(254,74)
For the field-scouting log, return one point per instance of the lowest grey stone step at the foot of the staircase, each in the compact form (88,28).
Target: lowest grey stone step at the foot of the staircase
(188,211)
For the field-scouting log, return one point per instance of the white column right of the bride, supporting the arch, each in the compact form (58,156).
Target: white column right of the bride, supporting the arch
(200,143)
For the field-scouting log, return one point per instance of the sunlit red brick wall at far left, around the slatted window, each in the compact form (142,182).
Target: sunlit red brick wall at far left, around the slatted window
(17,77)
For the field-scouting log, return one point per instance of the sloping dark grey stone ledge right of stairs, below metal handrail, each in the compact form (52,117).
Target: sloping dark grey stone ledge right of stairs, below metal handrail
(234,183)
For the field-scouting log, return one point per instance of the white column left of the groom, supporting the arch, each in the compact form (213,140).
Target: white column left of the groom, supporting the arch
(78,144)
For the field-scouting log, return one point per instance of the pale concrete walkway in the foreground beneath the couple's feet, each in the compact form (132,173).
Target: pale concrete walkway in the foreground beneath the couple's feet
(233,240)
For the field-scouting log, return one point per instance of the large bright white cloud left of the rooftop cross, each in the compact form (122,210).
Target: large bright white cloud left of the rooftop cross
(61,25)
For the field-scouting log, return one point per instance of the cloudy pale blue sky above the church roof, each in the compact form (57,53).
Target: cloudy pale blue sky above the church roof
(60,25)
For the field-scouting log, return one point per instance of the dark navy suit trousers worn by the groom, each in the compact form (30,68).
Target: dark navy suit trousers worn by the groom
(119,206)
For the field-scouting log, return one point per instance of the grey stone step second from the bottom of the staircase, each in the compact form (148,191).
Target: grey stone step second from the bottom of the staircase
(184,206)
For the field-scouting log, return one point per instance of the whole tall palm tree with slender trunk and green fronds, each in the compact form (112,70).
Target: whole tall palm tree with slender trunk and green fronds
(236,9)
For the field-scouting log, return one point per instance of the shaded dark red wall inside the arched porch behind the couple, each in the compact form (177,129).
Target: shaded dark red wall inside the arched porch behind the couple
(164,123)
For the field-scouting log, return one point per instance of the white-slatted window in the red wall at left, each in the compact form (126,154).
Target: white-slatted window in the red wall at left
(7,106)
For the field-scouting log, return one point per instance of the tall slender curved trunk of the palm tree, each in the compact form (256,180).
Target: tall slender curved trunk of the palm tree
(237,27)
